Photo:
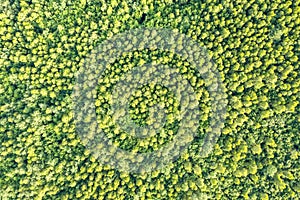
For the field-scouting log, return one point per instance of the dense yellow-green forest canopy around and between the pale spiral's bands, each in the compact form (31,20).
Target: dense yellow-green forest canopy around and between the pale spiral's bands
(255,46)
